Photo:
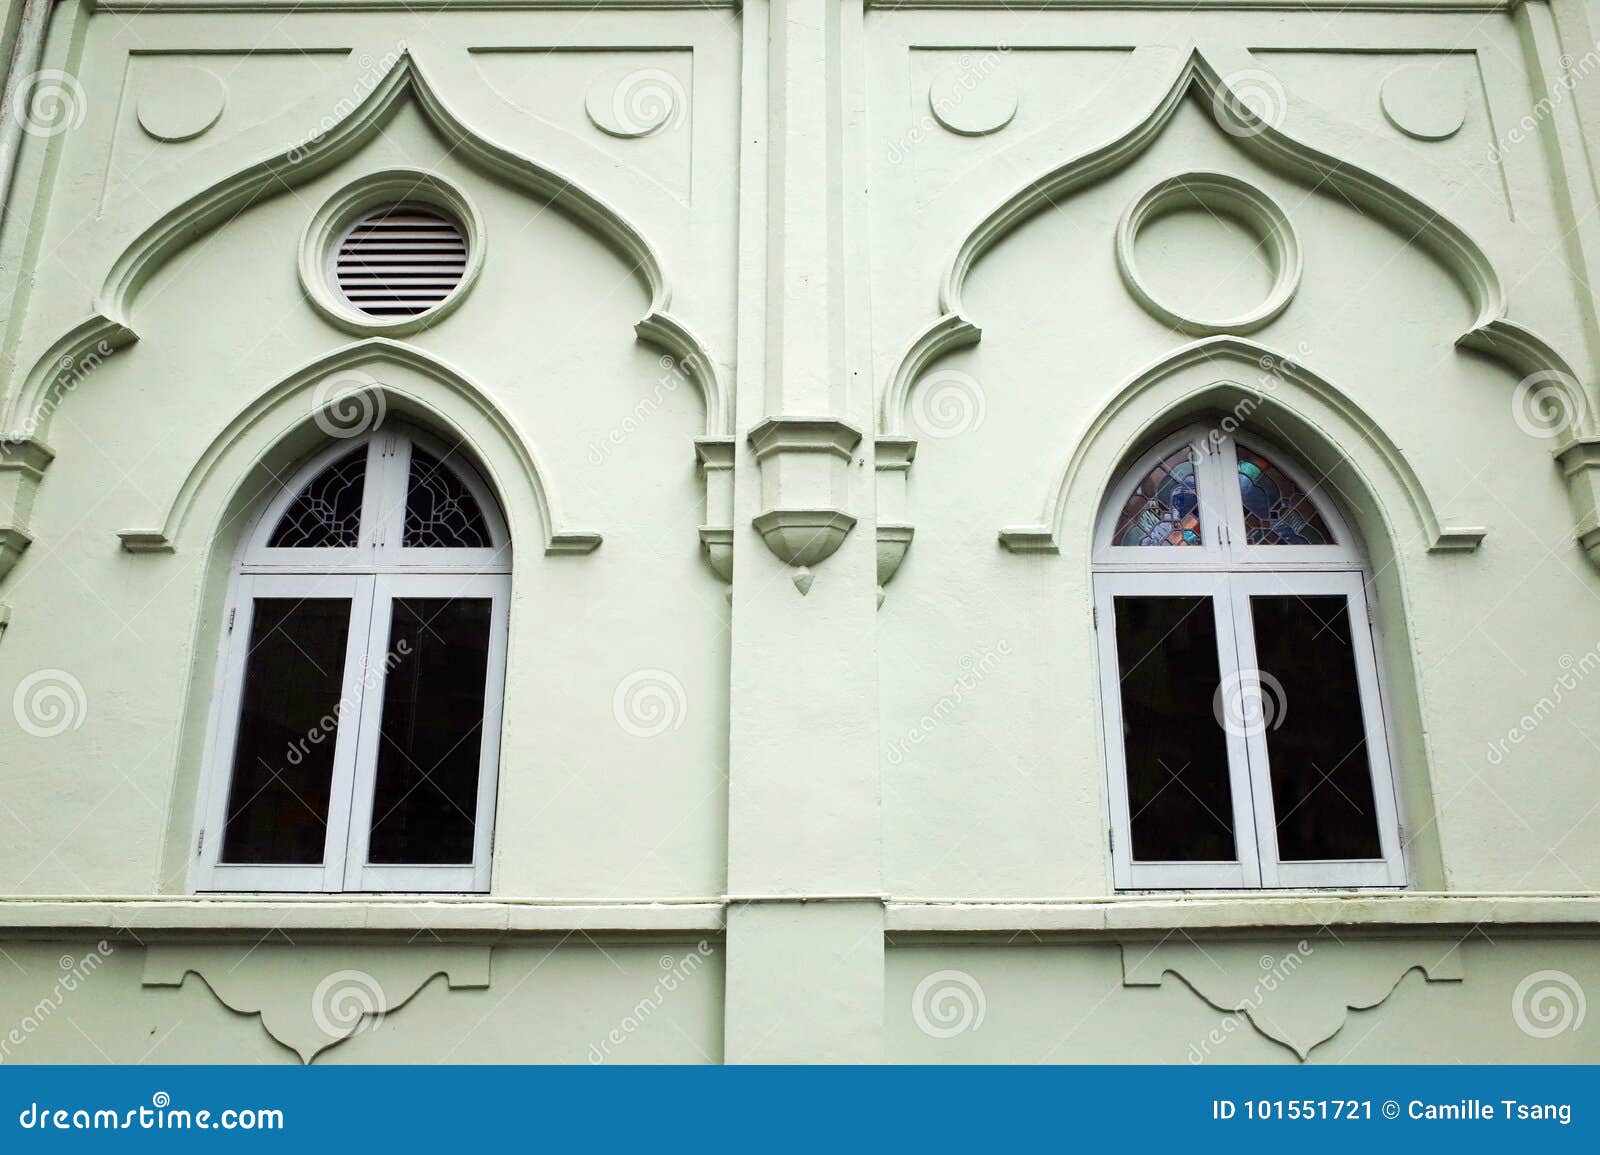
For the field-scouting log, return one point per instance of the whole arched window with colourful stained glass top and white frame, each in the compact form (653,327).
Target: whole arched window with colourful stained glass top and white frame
(1239,681)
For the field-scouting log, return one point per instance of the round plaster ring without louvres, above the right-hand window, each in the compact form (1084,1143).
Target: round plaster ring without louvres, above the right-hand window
(1214,198)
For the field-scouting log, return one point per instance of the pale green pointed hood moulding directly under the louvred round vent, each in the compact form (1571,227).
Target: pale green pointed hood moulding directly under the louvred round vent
(362,356)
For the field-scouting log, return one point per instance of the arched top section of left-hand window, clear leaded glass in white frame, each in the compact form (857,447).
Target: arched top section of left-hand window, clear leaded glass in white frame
(393,500)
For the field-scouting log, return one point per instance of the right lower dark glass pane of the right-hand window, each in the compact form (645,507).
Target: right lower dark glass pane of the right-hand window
(1322,785)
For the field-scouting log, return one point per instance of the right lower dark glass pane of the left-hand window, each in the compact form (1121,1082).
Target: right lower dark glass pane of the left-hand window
(425,805)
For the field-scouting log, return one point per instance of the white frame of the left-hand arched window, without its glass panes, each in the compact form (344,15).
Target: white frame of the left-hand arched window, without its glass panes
(372,575)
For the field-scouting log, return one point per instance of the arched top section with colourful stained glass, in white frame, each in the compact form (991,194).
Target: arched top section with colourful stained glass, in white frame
(1207,498)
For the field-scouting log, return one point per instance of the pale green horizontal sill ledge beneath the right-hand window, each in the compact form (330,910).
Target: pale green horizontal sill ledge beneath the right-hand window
(1124,916)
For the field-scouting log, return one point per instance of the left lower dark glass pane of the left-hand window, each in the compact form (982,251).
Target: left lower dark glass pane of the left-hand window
(278,807)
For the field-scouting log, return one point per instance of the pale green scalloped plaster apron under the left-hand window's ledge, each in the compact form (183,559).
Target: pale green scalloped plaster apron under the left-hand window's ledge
(311,997)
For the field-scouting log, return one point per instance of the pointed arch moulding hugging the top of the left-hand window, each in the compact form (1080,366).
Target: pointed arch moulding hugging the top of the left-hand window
(356,374)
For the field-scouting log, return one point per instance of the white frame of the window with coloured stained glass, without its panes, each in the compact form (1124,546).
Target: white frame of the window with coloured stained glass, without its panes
(1230,572)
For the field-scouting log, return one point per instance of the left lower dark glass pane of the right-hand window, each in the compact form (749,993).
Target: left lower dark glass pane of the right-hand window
(1177,753)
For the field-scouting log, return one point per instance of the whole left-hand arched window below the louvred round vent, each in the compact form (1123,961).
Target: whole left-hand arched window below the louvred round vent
(356,732)
